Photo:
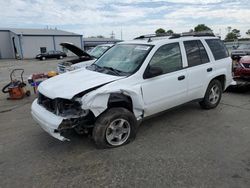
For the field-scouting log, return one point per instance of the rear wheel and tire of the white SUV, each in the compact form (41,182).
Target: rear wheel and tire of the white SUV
(212,96)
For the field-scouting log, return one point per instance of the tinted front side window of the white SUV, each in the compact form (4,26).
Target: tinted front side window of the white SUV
(168,58)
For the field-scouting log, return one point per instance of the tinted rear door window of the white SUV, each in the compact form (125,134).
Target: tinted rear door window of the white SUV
(196,53)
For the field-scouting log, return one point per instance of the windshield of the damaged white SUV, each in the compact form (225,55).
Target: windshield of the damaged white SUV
(122,59)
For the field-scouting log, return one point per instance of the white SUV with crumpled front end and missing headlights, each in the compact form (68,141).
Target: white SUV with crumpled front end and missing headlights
(131,81)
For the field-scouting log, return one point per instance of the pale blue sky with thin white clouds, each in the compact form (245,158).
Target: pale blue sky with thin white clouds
(132,17)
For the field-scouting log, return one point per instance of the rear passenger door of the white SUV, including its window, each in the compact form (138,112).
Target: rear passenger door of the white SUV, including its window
(199,68)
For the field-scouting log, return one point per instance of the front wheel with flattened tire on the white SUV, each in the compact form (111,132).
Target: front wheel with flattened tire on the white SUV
(114,128)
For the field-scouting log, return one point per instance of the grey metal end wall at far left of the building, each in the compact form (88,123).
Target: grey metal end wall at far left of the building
(6,50)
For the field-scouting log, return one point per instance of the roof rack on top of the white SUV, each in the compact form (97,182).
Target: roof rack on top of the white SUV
(176,35)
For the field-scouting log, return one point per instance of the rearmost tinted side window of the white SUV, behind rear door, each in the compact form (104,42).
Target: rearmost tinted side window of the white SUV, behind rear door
(218,48)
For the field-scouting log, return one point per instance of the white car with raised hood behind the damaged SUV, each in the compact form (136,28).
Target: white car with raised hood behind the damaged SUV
(84,58)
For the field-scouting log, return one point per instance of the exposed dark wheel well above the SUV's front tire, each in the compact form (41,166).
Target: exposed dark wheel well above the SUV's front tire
(120,100)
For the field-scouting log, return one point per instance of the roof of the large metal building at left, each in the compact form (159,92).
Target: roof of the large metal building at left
(39,32)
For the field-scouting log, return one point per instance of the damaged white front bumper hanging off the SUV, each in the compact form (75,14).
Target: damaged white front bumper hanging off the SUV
(47,120)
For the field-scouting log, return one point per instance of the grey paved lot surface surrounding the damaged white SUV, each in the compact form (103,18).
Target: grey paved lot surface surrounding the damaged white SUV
(184,147)
